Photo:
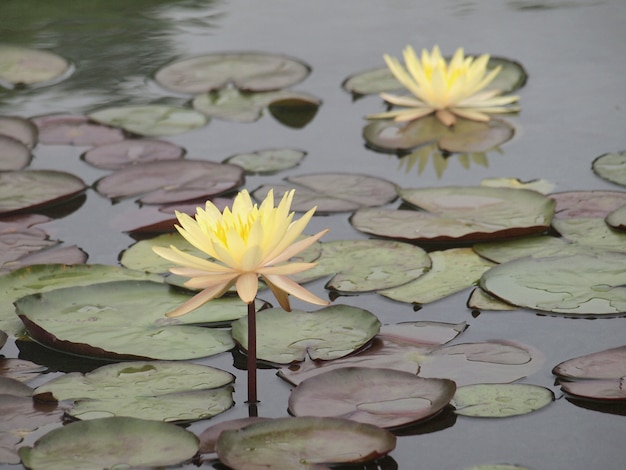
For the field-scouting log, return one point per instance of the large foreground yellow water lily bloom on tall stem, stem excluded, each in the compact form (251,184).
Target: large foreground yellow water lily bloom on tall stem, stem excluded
(245,242)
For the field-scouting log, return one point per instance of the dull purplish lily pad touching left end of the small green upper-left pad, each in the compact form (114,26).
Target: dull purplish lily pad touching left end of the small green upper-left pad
(63,129)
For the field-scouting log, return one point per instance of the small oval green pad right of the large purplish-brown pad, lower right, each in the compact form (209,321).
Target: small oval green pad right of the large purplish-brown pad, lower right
(500,400)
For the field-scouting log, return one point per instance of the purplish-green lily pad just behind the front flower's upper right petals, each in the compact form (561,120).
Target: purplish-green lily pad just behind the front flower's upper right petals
(333,192)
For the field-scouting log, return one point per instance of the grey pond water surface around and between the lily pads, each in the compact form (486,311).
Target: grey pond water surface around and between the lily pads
(573,110)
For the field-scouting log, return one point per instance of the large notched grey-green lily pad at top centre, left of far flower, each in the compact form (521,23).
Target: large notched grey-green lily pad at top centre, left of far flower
(249,71)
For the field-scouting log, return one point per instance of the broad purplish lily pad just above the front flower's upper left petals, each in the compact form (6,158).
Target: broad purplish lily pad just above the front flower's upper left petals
(164,182)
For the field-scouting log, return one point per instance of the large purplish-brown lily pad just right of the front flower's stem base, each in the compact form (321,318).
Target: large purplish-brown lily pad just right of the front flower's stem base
(390,398)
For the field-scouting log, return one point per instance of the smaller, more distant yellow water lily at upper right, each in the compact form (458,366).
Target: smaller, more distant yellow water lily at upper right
(446,89)
